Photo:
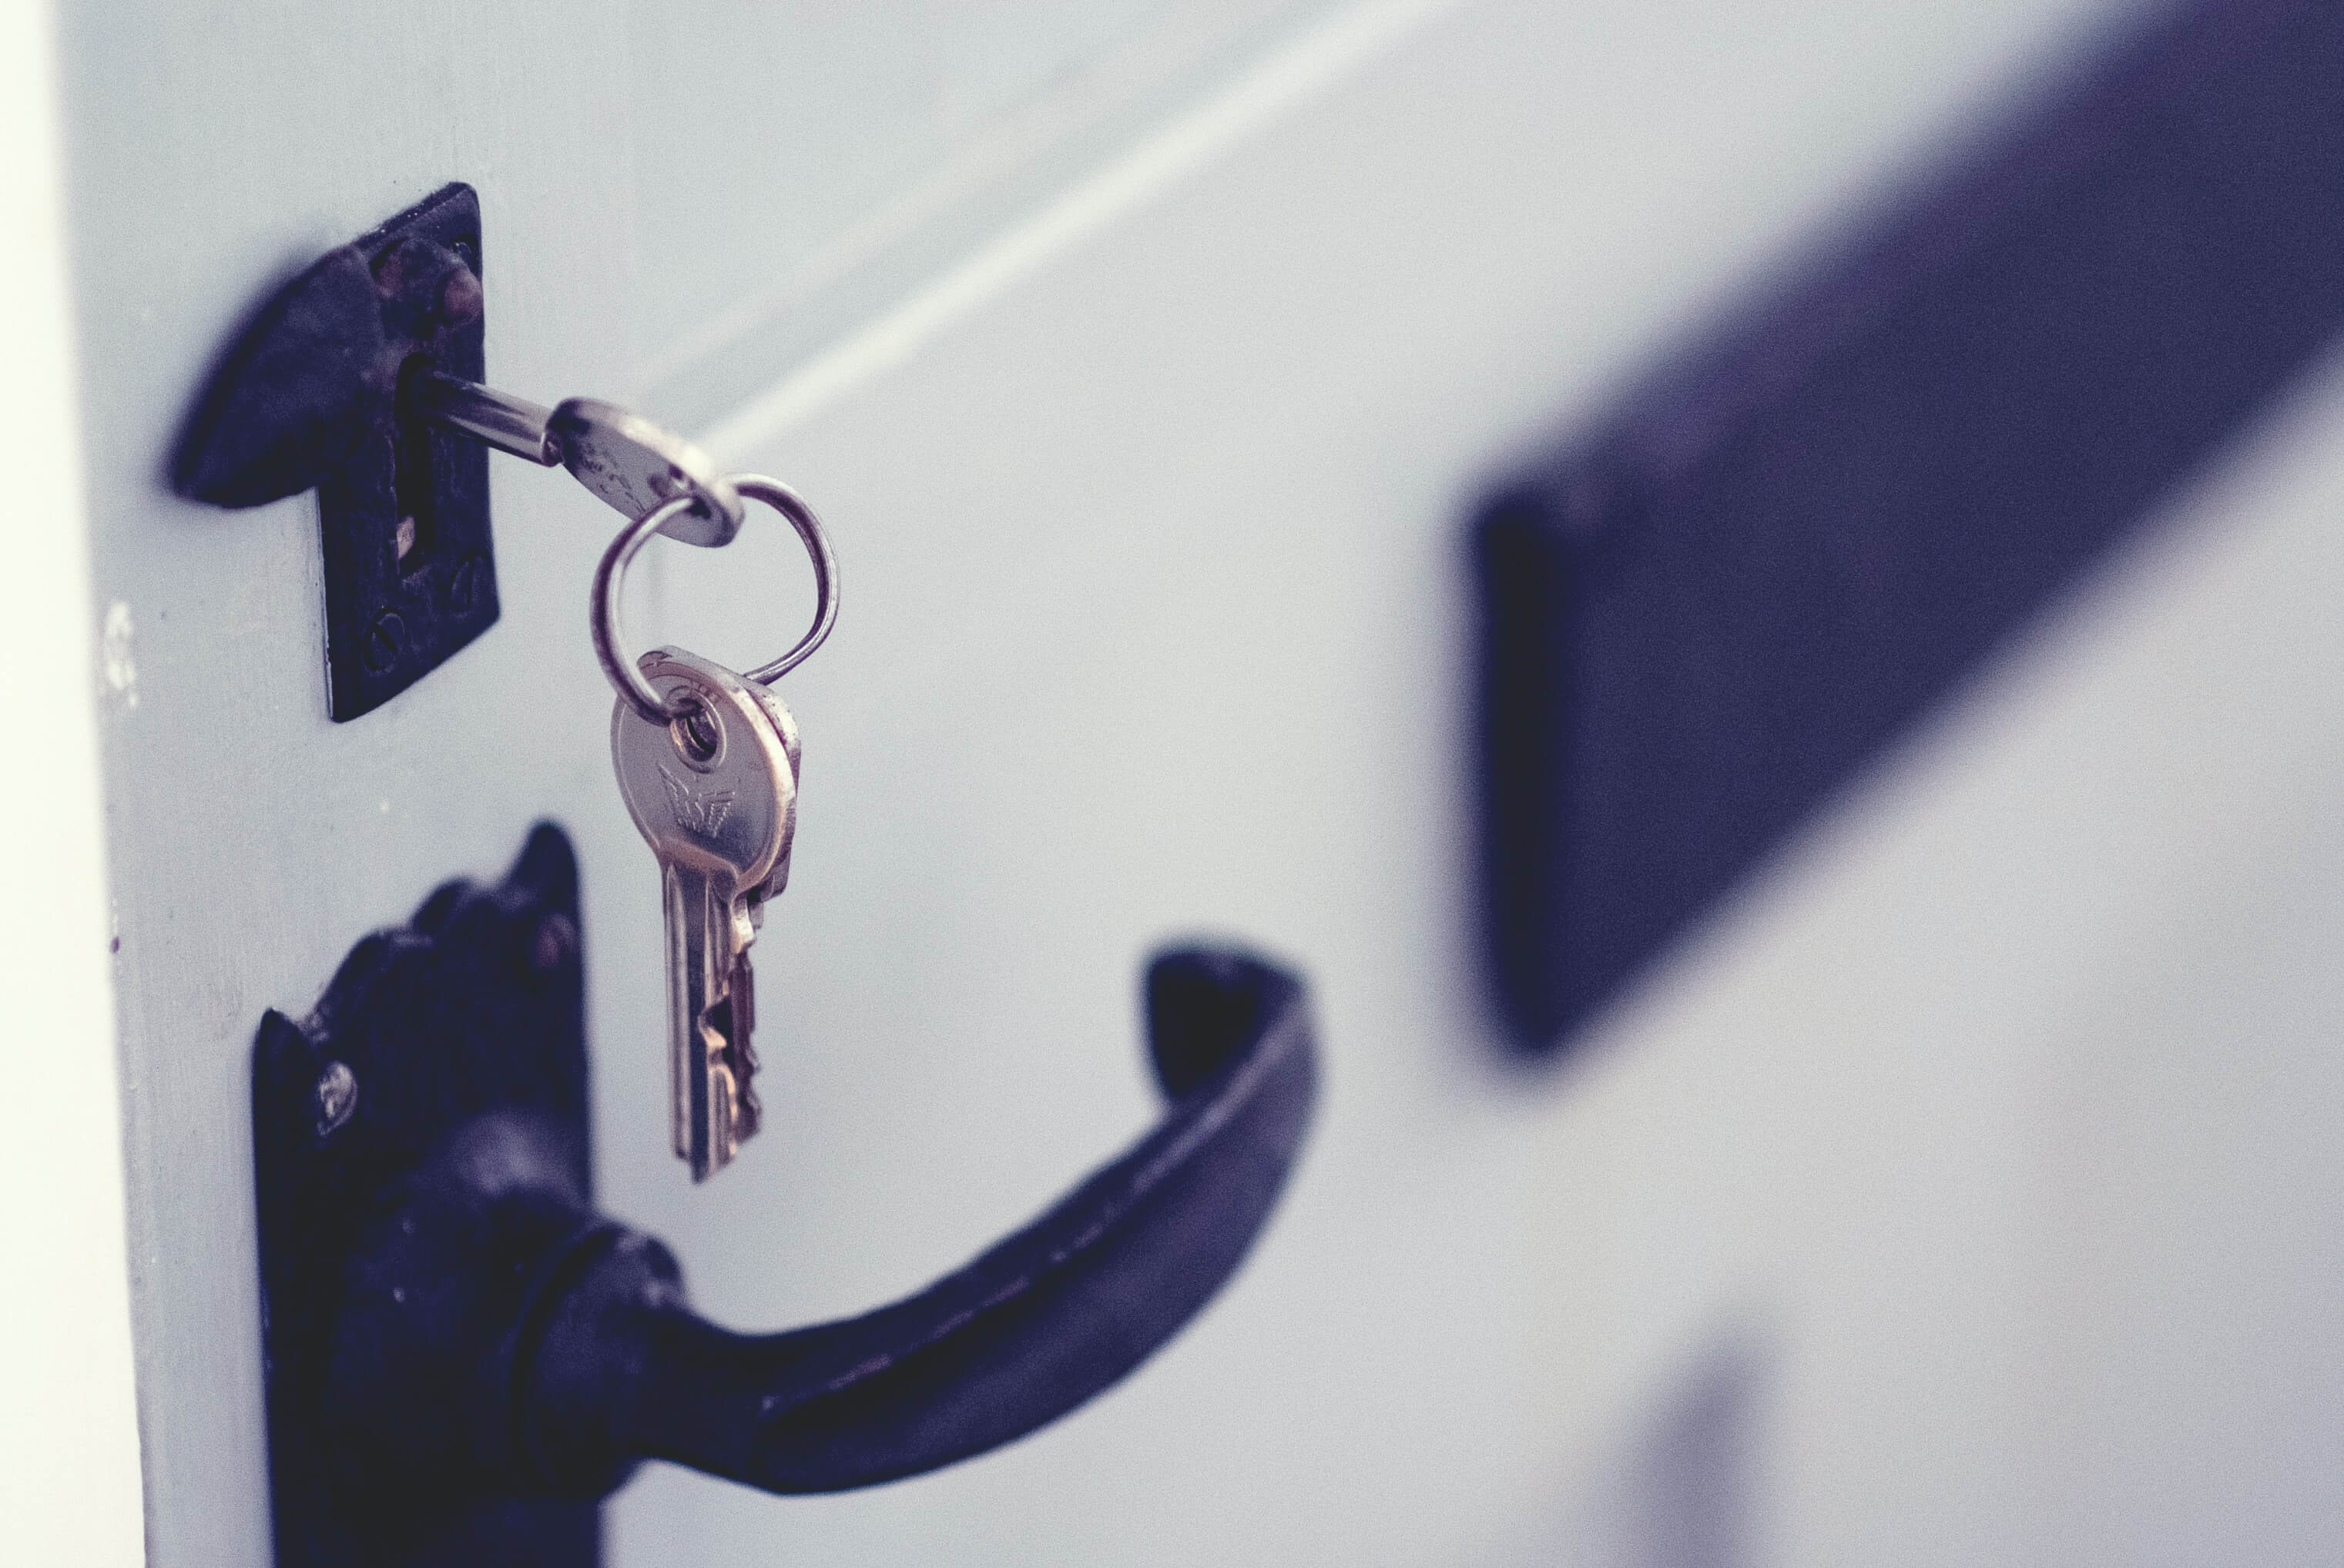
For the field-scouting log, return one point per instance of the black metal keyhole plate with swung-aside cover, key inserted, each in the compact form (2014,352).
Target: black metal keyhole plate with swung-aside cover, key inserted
(308,397)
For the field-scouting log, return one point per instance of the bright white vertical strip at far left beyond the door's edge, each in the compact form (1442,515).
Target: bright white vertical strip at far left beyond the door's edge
(69,1436)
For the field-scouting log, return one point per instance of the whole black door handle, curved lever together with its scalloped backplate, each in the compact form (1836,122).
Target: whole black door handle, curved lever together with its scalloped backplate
(463,1356)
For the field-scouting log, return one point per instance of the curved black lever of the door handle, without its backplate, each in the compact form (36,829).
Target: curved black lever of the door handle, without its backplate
(1025,1332)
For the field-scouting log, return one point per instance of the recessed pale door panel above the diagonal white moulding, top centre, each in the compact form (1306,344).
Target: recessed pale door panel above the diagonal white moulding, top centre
(880,144)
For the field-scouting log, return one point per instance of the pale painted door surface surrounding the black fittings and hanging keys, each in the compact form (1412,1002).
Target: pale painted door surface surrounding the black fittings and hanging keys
(1965,1194)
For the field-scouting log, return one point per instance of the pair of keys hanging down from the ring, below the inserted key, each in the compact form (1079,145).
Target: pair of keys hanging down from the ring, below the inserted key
(716,798)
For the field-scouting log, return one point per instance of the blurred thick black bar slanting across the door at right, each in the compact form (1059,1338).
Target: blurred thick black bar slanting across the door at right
(1710,611)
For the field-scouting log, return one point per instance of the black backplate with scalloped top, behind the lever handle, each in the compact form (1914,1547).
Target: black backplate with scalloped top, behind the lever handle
(470,1018)
